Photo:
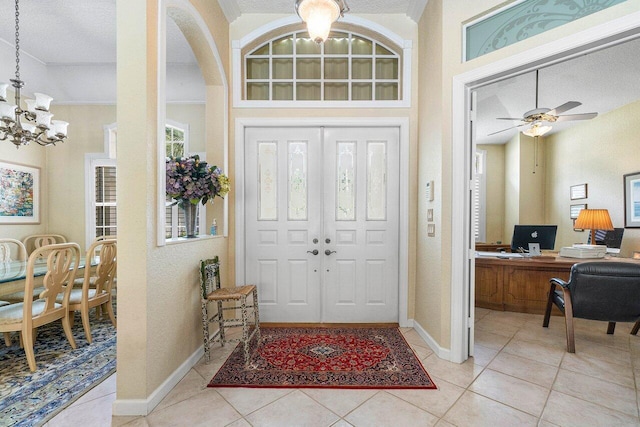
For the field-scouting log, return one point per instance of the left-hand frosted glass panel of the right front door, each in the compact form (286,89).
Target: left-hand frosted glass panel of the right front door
(346,190)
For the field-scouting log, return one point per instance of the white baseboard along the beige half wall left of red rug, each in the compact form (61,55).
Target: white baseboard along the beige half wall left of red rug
(132,407)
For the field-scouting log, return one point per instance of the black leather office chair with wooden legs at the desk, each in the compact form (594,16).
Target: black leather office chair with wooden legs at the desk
(607,291)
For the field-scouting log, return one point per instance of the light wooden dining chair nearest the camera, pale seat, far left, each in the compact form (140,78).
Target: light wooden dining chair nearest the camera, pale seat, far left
(62,265)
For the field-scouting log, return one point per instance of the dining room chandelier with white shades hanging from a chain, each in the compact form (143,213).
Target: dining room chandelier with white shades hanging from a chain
(34,124)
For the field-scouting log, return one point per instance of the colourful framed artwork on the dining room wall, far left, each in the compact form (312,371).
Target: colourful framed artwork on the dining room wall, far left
(19,194)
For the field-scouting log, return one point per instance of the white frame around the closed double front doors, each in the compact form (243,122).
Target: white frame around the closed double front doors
(239,188)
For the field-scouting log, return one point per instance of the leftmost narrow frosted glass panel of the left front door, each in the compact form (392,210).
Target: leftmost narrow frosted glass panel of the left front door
(267,181)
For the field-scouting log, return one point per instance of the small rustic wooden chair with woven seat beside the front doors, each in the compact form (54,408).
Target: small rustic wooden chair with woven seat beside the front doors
(211,291)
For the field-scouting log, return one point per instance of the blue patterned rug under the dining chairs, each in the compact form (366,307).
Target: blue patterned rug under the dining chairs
(63,374)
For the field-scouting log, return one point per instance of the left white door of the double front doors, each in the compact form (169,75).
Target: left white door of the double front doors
(281,191)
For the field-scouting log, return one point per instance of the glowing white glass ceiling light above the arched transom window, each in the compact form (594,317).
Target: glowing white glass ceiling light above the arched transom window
(319,15)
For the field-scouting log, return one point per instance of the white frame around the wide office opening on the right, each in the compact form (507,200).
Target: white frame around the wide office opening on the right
(559,50)
